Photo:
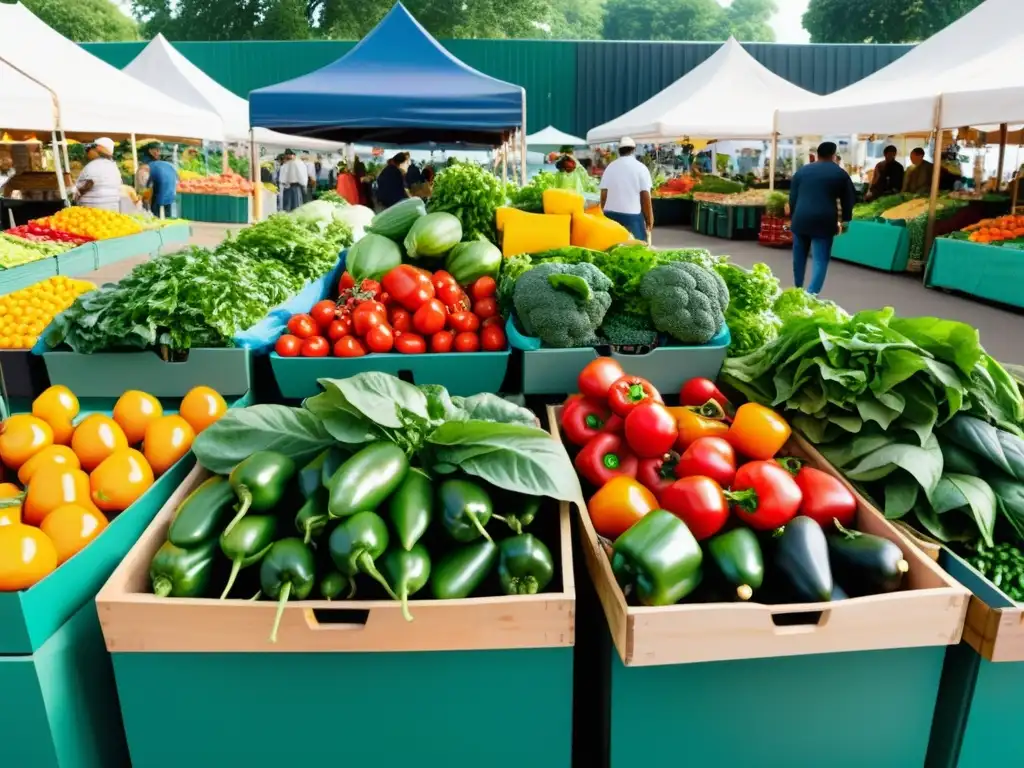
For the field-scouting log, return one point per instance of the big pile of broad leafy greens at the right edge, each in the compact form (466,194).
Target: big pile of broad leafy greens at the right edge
(916,412)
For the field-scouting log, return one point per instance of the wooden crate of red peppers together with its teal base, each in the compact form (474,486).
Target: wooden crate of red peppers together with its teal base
(747,685)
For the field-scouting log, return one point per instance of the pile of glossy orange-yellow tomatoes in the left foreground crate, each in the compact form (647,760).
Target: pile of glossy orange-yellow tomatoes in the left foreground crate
(74,474)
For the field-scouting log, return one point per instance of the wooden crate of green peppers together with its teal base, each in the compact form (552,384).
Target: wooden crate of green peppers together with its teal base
(476,668)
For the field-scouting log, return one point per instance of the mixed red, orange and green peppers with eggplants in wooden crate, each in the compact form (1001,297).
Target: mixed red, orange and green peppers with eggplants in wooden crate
(672,486)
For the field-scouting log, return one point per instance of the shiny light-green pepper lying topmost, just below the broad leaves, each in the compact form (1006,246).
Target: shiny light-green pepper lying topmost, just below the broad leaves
(367,480)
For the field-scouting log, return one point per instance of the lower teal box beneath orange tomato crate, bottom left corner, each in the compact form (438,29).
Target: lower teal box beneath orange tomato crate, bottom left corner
(60,706)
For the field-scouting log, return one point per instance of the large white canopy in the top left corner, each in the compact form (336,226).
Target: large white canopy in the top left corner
(92,97)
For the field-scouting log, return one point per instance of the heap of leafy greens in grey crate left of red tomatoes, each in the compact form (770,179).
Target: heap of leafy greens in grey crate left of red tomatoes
(203,298)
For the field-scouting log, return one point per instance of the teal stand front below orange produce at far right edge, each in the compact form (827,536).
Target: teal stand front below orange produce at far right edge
(992,273)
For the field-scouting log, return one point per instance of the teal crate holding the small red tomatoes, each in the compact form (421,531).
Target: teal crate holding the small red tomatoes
(460,373)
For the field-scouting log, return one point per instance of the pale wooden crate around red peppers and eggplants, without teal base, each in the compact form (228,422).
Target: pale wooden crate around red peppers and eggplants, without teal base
(930,613)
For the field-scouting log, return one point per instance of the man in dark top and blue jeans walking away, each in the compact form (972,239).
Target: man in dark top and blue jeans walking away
(815,193)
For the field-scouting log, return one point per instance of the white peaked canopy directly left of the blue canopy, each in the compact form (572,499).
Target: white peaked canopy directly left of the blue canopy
(162,66)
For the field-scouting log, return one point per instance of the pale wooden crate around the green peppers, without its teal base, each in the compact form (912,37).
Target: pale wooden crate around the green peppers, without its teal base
(135,620)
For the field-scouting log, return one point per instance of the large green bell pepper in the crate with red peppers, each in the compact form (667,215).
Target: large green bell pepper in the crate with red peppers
(658,560)
